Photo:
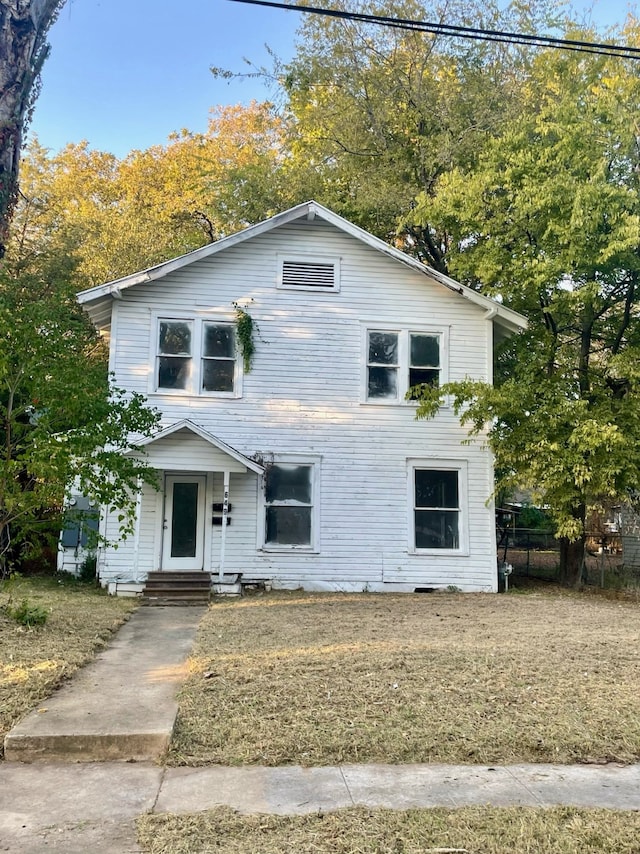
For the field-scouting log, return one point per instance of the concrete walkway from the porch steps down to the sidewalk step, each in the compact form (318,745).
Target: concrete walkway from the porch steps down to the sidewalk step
(123,704)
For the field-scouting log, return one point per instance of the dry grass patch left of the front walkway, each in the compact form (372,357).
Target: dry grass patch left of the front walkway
(33,662)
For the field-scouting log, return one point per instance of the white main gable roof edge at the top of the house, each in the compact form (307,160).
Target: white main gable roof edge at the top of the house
(97,300)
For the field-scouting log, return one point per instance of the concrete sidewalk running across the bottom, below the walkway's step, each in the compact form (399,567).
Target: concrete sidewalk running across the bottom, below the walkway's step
(92,807)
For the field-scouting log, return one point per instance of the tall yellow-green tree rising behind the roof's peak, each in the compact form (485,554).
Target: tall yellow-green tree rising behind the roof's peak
(380,114)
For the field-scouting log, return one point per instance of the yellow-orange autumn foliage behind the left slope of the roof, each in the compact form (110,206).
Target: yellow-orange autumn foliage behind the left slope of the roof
(118,216)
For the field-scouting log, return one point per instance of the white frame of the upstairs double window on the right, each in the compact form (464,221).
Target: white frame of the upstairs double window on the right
(404,332)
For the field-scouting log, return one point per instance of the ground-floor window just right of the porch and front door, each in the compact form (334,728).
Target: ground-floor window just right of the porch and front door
(290,506)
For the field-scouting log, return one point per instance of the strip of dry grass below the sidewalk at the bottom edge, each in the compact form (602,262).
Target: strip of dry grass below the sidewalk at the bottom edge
(475,830)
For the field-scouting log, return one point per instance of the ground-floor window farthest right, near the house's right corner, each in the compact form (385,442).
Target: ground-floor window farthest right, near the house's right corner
(438,496)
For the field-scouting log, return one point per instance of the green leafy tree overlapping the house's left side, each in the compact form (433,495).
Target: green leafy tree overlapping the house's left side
(61,421)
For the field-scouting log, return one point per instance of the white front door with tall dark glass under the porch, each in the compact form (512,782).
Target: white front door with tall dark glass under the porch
(183,540)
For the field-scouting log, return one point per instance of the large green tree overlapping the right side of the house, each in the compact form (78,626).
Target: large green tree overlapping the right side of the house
(548,221)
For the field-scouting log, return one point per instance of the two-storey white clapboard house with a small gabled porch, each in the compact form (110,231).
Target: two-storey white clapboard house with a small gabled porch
(314,457)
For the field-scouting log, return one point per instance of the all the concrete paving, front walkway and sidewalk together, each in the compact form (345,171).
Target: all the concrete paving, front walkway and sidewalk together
(123,706)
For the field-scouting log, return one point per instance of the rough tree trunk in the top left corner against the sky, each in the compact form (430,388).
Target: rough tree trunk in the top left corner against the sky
(24,25)
